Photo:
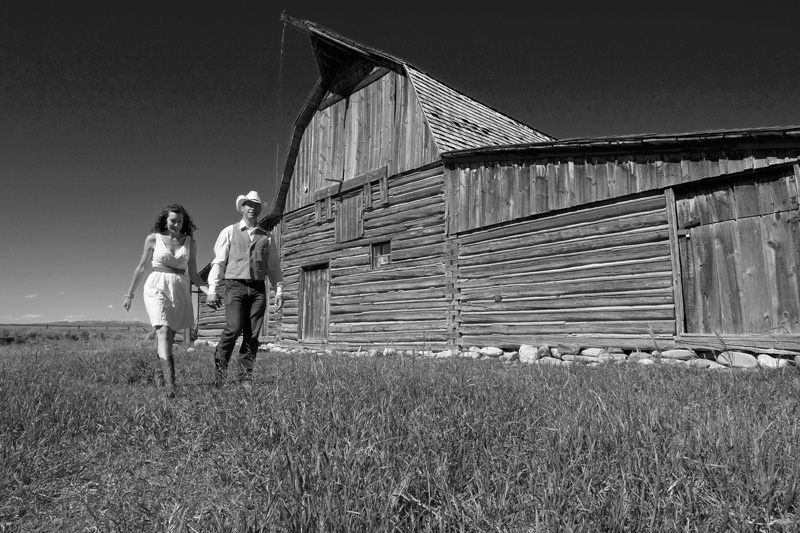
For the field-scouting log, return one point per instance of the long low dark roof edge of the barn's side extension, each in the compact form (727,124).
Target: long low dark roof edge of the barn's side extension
(641,143)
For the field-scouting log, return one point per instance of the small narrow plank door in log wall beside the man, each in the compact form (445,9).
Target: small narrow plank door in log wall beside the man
(312,321)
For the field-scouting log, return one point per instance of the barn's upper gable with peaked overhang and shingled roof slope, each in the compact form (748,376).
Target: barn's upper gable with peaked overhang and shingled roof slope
(369,109)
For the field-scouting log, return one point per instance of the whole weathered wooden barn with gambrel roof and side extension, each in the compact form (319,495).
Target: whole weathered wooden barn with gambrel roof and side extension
(410,215)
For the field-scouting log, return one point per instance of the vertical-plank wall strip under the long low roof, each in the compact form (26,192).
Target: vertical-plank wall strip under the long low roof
(481,194)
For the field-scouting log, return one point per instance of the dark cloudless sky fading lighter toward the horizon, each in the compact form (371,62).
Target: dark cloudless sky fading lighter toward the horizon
(109,113)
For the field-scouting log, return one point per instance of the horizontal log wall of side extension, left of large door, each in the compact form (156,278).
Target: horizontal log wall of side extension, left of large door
(597,276)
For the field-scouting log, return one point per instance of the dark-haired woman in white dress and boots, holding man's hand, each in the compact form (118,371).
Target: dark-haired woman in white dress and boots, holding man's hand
(167,294)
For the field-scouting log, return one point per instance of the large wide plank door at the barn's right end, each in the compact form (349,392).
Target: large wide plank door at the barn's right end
(739,254)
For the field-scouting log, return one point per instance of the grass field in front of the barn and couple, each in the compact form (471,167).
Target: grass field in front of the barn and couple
(333,443)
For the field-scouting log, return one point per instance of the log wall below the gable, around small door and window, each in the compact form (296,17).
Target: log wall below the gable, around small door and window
(400,304)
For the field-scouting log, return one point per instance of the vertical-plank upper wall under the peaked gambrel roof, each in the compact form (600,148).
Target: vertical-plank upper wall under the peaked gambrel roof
(380,125)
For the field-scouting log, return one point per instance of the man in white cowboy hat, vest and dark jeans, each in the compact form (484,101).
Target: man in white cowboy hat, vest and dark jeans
(244,255)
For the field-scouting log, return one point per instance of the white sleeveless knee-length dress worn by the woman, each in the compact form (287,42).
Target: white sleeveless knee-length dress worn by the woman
(167,296)
